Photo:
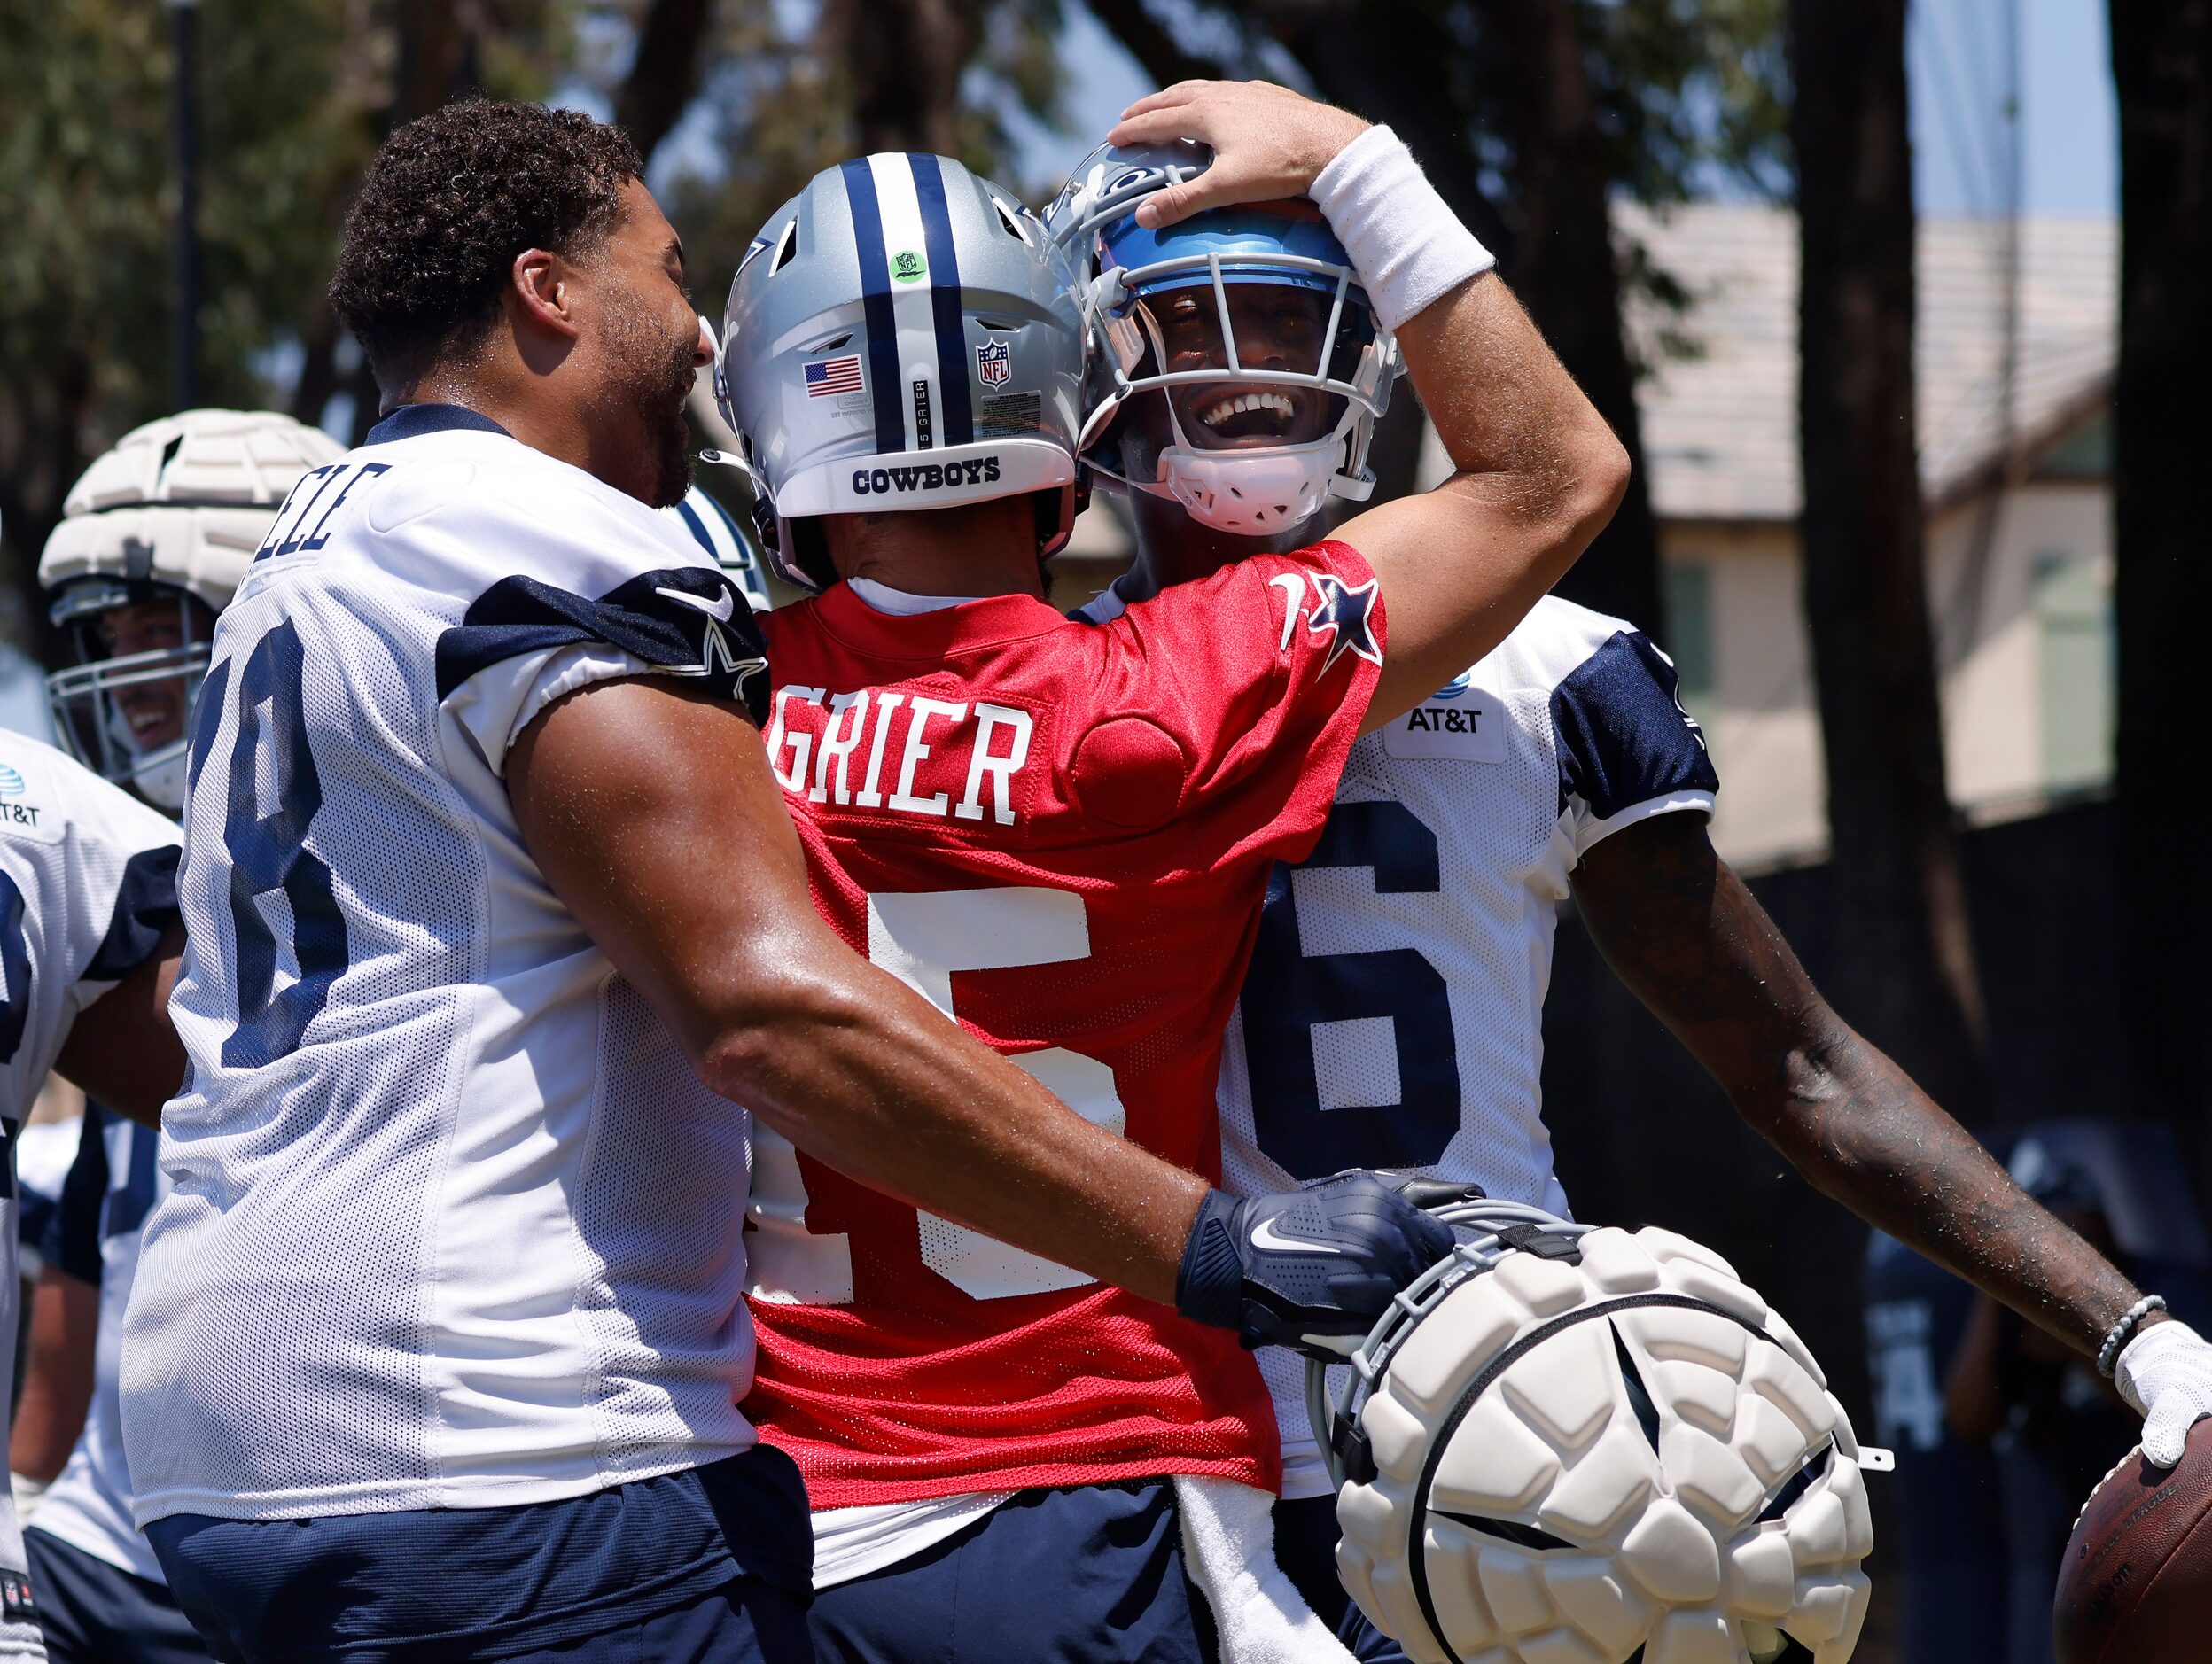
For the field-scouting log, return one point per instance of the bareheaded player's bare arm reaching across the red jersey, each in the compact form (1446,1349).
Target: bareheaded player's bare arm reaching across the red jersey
(696,888)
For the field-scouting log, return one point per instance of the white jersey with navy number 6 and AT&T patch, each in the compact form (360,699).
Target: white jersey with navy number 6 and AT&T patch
(1395,1010)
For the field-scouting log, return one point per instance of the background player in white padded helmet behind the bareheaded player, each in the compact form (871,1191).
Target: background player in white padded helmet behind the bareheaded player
(149,550)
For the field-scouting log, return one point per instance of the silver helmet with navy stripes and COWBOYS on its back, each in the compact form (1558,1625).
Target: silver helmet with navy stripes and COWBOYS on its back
(901,337)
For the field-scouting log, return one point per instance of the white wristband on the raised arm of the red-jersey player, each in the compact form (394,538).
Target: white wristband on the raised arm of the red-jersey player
(1406,245)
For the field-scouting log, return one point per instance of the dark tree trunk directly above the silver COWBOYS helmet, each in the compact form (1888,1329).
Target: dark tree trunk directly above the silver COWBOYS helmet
(904,63)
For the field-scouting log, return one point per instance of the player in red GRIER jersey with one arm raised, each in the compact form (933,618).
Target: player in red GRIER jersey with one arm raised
(1061,835)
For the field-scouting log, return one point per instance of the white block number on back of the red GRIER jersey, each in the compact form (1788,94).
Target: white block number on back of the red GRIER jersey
(924,939)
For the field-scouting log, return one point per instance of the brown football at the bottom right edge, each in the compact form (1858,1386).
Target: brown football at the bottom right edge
(2138,1577)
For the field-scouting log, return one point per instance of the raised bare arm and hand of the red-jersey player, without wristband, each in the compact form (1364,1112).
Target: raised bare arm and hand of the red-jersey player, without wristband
(1536,475)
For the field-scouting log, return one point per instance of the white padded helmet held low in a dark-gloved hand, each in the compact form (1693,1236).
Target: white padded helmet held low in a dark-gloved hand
(1574,1444)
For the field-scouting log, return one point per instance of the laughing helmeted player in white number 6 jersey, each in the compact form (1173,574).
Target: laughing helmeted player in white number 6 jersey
(1392,1015)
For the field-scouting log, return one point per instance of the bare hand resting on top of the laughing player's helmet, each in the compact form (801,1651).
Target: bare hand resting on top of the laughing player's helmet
(1269,143)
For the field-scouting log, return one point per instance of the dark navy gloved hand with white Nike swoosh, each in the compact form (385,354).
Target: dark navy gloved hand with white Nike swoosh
(1308,1269)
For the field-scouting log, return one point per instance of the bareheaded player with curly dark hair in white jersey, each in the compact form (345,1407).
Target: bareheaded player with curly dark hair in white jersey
(497,919)
